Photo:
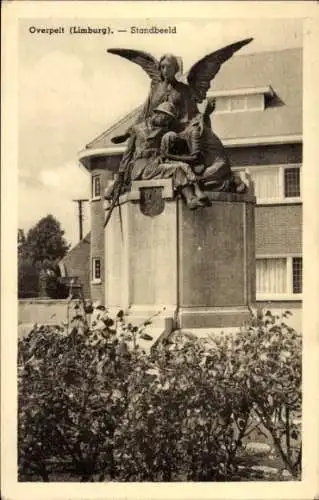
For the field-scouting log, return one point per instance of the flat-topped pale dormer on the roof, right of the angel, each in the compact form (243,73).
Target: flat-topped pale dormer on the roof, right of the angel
(232,101)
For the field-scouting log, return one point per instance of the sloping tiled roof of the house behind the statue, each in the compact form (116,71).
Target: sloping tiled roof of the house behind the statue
(282,70)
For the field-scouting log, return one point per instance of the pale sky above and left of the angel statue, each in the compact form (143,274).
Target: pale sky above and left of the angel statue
(71,90)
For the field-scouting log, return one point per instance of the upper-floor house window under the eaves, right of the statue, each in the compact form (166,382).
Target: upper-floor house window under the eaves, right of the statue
(275,183)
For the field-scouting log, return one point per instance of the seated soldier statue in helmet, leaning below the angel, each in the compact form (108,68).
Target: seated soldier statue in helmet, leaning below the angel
(143,159)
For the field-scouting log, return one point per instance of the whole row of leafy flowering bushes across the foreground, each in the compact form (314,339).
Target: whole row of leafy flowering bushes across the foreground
(92,401)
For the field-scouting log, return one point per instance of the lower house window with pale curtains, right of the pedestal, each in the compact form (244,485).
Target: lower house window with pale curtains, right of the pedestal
(278,278)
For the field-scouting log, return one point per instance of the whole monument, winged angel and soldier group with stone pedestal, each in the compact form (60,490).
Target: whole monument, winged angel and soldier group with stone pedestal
(179,227)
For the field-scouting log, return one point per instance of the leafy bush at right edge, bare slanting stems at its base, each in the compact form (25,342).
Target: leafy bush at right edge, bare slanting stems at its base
(272,359)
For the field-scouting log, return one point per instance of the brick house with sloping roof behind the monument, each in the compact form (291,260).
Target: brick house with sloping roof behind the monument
(258,117)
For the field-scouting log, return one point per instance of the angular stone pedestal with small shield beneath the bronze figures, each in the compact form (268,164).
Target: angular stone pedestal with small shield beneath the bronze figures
(192,269)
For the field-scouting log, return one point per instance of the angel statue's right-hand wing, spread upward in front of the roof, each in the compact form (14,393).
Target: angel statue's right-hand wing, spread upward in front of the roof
(202,72)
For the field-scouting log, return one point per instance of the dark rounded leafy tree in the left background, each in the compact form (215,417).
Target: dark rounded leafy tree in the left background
(45,241)
